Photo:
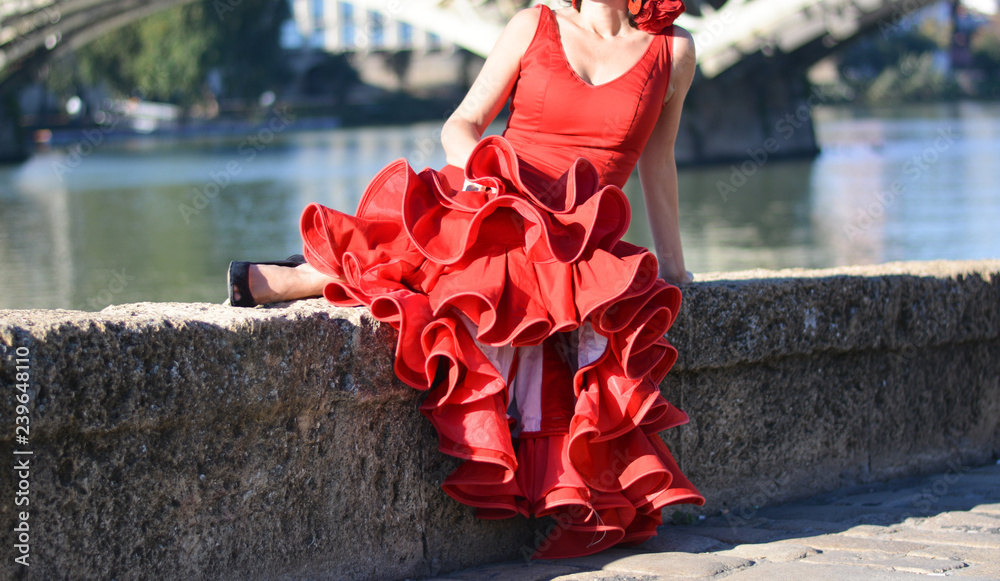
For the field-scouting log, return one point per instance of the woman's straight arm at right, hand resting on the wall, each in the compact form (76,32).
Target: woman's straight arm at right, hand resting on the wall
(658,168)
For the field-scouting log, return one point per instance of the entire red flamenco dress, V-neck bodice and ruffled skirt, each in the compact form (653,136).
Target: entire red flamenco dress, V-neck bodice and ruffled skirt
(548,329)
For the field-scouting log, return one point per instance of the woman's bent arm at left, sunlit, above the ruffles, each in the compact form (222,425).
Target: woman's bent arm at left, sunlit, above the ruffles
(463,130)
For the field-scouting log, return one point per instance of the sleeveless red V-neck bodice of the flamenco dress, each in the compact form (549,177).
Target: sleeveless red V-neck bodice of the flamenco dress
(556,117)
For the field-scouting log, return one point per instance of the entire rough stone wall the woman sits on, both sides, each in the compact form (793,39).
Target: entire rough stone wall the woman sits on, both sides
(199,441)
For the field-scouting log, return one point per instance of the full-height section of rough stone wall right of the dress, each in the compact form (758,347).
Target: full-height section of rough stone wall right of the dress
(858,374)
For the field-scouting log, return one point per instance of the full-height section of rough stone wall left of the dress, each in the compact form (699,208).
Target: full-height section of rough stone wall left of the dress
(197,441)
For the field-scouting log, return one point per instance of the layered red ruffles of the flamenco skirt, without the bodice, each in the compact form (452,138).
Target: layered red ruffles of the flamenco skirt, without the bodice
(519,263)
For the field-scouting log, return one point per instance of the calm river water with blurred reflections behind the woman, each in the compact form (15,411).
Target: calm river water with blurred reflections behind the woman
(124,222)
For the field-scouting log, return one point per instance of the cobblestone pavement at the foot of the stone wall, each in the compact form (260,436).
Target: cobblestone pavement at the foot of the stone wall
(943,525)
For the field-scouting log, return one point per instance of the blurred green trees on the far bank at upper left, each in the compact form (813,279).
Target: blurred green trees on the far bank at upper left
(168,56)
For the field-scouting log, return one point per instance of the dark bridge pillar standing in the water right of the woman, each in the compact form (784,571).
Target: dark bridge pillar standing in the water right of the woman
(753,117)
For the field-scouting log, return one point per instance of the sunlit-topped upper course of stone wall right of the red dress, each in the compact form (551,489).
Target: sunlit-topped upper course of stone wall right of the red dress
(897,306)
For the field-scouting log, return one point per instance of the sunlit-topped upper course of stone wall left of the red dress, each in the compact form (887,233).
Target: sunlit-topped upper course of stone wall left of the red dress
(196,357)
